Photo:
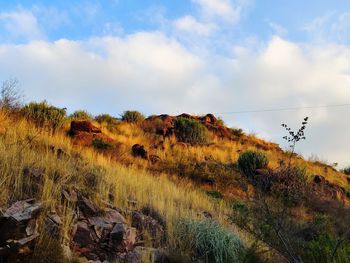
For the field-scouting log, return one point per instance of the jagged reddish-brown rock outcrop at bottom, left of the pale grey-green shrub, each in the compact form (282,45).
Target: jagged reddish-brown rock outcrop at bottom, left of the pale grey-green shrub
(104,235)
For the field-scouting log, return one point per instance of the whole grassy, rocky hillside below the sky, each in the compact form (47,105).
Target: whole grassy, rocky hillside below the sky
(161,189)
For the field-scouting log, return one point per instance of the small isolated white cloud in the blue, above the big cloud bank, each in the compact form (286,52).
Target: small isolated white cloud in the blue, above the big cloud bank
(190,24)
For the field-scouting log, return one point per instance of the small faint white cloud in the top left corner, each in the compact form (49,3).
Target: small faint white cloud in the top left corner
(20,24)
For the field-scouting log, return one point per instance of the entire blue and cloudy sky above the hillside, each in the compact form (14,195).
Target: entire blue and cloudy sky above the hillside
(195,56)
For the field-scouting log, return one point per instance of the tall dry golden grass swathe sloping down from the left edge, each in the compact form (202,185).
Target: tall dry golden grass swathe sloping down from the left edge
(99,177)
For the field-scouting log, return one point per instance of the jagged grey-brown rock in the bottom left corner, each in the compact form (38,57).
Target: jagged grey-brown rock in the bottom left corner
(18,228)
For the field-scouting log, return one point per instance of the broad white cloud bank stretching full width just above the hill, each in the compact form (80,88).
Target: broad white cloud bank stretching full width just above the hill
(154,73)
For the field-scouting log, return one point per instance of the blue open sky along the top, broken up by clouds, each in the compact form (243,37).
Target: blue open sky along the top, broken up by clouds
(260,19)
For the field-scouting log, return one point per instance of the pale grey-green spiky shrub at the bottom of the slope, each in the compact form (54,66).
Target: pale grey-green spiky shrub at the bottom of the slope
(208,241)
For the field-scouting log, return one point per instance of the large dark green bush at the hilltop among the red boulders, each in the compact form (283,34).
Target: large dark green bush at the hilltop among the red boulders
(191,131)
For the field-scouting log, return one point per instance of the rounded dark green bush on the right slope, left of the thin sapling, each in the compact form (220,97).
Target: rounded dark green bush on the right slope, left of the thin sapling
(250,161)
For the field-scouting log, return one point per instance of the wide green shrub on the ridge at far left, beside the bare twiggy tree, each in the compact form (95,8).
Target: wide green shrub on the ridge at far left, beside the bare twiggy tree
(44,115)
